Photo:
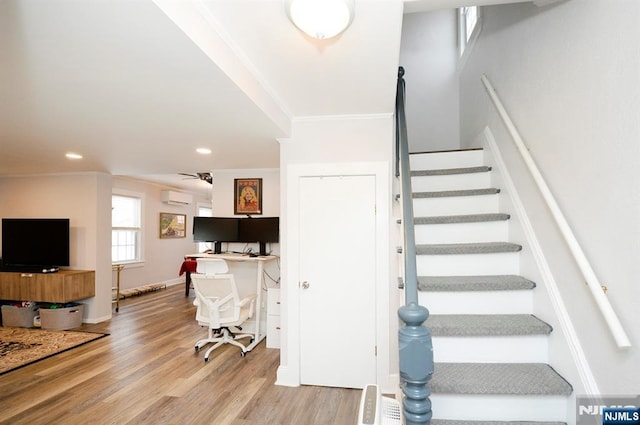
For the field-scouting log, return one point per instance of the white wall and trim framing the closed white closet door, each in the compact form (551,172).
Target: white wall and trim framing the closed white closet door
(324,144)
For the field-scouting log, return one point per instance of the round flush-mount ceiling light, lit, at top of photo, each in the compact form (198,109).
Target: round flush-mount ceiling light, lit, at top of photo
(320,18)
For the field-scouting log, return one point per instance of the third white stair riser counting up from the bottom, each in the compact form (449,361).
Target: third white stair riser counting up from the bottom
(480,302)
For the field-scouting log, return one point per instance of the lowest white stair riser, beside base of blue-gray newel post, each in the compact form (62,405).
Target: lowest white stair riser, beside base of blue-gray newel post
(499,407)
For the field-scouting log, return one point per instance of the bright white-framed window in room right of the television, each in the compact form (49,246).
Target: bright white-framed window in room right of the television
(126,228)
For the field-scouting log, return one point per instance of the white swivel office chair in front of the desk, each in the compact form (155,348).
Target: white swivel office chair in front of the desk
(220,308)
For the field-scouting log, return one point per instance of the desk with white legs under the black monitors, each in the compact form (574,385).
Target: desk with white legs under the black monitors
(235,260)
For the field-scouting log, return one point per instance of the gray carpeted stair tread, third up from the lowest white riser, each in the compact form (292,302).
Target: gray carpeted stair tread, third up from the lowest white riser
(474,283)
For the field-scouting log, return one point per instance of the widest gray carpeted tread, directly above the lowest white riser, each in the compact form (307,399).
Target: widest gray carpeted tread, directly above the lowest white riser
(498,378)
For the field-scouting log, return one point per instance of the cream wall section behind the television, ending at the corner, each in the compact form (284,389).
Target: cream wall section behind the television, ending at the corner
(83,198)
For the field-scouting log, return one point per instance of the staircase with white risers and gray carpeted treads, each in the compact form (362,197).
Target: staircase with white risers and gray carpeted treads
(490,352)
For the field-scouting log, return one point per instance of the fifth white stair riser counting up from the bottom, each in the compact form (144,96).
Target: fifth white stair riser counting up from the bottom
(490,231)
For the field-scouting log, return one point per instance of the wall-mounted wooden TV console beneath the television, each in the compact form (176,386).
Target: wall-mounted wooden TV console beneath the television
(61,287)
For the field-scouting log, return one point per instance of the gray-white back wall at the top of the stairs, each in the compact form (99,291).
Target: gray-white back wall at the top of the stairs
(428,54)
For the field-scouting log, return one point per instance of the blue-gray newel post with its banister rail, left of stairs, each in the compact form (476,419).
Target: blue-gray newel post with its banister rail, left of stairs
(416,349)
